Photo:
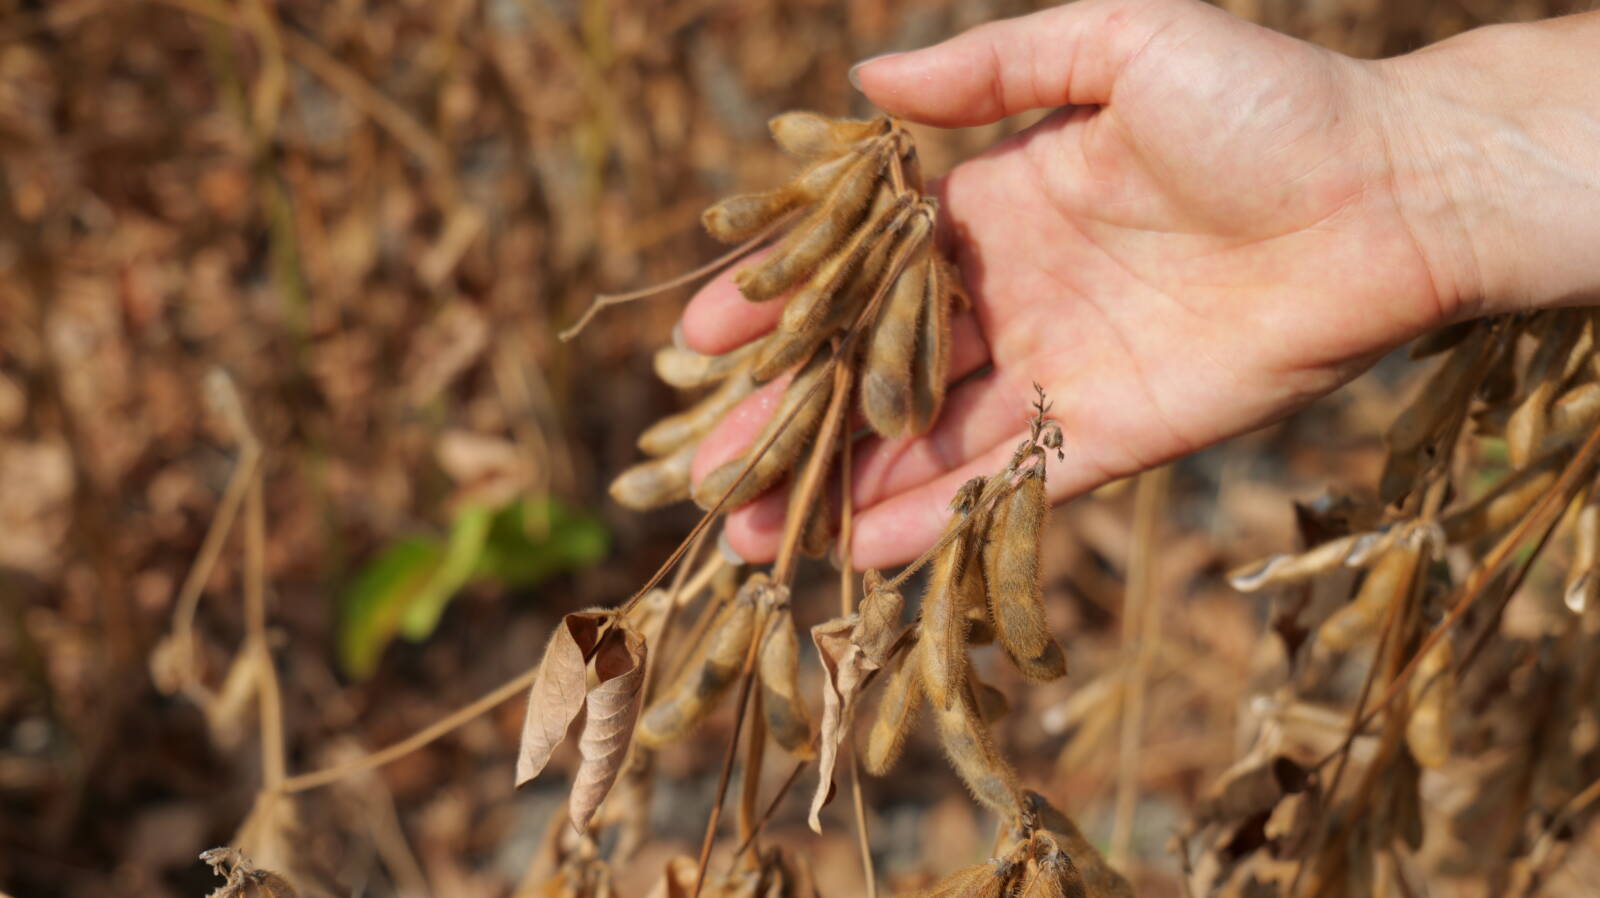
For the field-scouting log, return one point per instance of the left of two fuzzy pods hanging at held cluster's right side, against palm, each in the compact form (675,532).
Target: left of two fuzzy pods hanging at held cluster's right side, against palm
(887,372)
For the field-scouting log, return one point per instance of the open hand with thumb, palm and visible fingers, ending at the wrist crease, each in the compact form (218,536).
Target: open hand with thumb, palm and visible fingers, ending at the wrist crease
(1207,247)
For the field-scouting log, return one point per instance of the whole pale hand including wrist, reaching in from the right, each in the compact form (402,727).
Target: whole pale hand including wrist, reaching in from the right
(1215,227)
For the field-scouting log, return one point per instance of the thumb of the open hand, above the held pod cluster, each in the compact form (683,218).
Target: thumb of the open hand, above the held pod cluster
(1063,57)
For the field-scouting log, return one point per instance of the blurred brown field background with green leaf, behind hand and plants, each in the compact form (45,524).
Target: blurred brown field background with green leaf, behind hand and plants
(375,217)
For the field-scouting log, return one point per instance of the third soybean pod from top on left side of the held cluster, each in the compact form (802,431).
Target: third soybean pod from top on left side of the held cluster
(818,235)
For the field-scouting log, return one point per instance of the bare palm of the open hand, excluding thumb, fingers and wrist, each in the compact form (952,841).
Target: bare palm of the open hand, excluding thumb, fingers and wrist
(1194,259)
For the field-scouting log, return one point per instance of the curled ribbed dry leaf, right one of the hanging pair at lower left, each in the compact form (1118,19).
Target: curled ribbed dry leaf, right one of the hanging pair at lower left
(610,713)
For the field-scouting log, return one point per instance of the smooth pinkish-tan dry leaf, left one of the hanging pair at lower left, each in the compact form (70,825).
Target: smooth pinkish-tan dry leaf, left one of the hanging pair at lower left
(559,689)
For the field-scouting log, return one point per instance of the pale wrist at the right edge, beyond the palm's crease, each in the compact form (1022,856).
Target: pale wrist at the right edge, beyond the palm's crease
(1494,145)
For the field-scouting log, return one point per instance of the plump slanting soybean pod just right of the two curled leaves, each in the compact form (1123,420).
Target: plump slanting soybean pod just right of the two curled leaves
(710,675)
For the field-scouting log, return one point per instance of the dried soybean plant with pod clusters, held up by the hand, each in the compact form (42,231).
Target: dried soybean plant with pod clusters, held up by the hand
(865,327)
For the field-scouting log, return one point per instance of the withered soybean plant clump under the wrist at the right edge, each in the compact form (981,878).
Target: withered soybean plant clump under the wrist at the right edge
(1401,673)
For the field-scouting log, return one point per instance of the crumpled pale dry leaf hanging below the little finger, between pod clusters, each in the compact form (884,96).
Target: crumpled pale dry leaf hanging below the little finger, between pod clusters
(850,651)
